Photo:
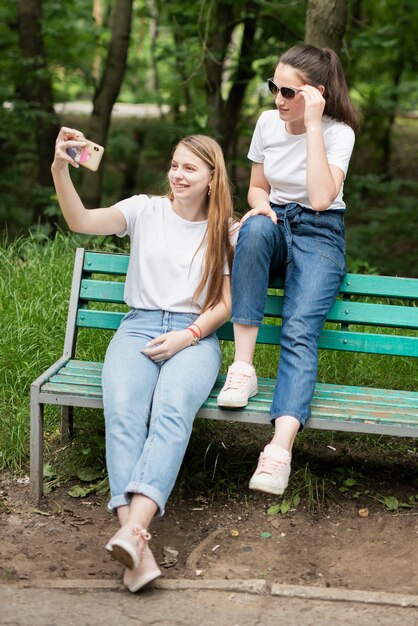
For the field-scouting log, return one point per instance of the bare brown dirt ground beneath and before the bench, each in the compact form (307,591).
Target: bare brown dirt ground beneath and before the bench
(230,537)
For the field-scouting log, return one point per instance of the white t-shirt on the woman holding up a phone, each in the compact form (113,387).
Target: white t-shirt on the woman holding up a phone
(166,259)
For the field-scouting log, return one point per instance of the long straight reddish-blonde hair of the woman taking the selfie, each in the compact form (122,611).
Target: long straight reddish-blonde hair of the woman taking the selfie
(220,216)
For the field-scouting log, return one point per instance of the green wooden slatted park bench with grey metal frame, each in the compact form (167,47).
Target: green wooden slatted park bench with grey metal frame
(358,322)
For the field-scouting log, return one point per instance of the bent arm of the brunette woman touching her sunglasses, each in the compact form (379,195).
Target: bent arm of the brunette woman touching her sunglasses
(323,180)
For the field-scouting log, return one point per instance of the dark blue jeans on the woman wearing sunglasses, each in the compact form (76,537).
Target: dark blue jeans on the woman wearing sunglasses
(307,248)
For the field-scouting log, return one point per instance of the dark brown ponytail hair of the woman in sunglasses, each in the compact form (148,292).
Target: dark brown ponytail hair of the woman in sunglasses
(322,66)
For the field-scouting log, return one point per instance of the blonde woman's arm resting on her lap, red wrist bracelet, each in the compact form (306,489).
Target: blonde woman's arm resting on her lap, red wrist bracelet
(165,346)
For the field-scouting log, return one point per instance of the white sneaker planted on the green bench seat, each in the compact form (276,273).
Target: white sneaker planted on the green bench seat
(240,384)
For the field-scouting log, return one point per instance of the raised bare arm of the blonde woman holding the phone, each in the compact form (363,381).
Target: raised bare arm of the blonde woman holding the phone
(107,221)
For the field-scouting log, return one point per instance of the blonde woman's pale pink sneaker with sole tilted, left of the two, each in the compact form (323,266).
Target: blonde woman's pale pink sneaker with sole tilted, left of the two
(128,544)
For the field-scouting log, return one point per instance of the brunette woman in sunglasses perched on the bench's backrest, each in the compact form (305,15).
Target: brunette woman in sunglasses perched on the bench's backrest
(300,152)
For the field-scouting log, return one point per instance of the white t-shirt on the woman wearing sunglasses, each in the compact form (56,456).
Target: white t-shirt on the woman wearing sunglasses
(284,156)
